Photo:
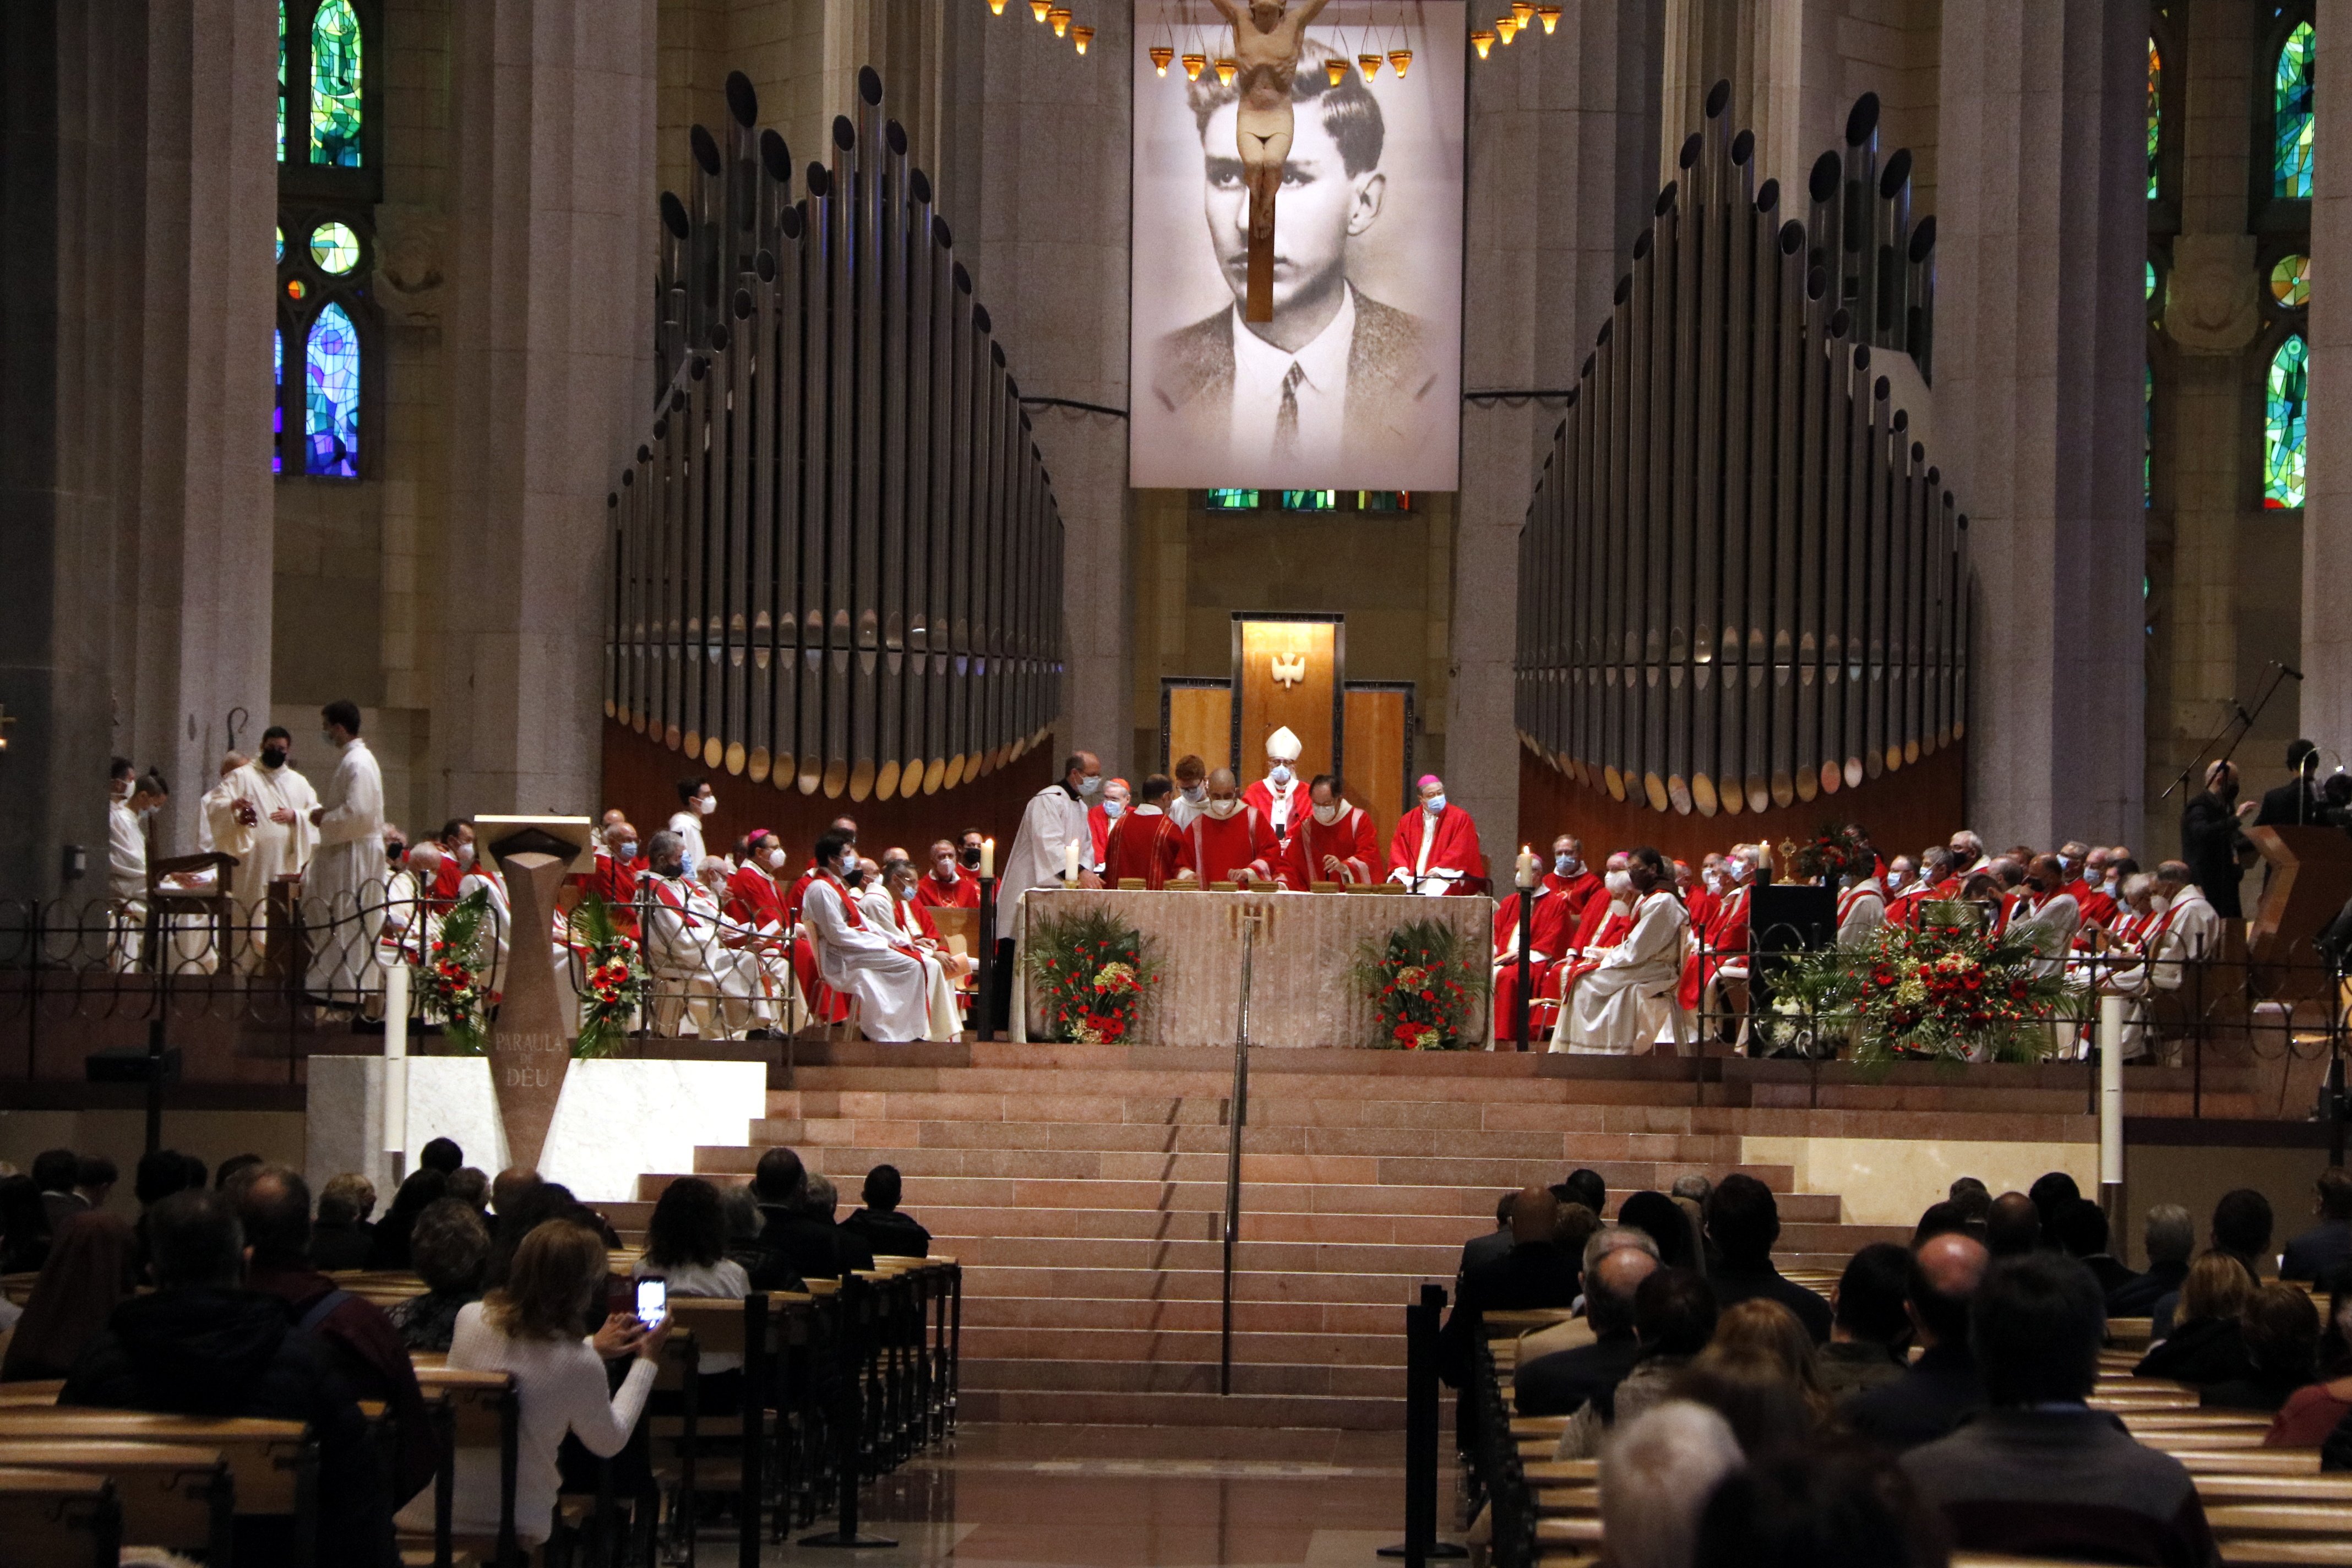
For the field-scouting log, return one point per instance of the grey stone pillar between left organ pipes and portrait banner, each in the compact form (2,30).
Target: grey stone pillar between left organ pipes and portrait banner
(1034,185)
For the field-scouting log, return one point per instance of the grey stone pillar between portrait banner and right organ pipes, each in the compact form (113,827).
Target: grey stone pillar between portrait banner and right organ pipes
(1563,135)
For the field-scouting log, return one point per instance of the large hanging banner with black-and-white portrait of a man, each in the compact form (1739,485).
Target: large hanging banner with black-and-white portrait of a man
(1356,384)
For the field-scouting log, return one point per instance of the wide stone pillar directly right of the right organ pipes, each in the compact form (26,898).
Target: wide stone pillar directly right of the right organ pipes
(2040,349)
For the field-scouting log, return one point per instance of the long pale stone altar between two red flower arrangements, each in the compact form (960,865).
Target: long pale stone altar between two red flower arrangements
(1299,989)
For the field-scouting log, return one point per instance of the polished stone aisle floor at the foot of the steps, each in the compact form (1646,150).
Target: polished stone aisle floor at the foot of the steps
(1140,1496)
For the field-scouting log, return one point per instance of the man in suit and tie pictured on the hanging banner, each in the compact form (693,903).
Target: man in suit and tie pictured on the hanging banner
(1337,377)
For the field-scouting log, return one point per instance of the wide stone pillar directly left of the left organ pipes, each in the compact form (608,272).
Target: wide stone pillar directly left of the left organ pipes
(547,354)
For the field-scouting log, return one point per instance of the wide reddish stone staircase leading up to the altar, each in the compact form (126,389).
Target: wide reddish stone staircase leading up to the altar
(1083,1191)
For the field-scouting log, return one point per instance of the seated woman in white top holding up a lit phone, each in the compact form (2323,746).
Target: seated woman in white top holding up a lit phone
(537,1329)
